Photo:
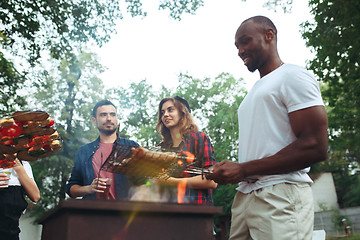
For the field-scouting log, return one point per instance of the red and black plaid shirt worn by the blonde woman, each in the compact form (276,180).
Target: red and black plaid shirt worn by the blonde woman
(198,144)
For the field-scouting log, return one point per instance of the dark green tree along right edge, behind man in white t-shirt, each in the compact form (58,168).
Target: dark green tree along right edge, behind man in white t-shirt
(333,37)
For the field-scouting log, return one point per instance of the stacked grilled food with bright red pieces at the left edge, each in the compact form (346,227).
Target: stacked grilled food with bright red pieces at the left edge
(28,135)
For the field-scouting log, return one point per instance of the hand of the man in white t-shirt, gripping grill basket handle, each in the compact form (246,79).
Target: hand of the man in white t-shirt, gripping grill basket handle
(226,172)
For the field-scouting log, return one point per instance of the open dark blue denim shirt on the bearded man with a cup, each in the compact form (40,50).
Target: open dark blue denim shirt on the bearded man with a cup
(83,173)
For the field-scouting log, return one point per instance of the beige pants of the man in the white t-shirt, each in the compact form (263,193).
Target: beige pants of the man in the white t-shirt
(283,211)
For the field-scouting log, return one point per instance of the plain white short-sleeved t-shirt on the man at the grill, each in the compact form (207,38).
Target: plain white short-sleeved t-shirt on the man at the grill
(264,126)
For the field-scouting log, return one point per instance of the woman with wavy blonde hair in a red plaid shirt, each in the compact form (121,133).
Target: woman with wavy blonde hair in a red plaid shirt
(181,134)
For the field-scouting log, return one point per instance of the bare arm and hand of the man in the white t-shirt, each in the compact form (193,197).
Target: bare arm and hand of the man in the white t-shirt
(309,126)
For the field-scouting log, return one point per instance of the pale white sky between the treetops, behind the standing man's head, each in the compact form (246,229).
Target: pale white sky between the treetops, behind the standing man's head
(158,48)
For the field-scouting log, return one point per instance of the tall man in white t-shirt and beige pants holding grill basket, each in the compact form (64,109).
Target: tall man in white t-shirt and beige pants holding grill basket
(282,132)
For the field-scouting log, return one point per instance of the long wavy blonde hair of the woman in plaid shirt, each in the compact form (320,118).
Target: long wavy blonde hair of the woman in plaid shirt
(186,121)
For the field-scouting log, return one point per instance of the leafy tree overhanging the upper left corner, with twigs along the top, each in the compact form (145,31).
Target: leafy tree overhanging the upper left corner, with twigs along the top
(30,29)
